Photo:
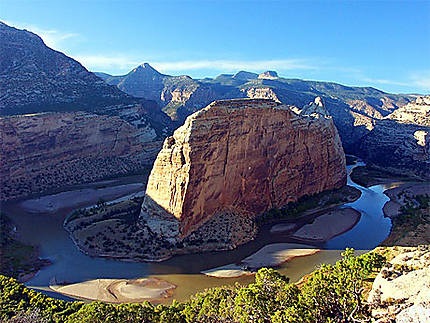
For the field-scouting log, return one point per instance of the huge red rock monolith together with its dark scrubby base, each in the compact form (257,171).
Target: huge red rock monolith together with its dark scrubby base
(228,164)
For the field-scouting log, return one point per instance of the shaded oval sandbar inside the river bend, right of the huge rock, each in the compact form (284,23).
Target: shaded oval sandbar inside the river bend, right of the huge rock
(328,225)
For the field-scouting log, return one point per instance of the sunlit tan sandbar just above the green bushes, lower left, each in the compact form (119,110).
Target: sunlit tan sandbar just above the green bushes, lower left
(118,290)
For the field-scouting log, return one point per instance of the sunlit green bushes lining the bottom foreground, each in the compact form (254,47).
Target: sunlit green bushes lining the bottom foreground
(333,293)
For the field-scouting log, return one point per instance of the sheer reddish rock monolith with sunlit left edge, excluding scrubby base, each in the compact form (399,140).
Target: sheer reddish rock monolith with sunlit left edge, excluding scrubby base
(241,157)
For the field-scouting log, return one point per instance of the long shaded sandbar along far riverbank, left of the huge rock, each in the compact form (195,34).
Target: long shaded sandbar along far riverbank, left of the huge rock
(73,199)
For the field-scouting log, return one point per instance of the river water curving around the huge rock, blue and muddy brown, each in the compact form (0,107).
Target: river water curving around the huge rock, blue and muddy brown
(69,265)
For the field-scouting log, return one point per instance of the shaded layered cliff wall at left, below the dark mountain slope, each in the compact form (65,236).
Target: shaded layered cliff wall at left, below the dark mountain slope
(51,150)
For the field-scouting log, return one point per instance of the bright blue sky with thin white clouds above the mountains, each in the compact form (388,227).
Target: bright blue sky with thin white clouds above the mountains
(385,44)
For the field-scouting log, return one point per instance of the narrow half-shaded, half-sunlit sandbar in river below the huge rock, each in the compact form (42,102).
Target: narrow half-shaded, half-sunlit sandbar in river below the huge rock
(269,256)
